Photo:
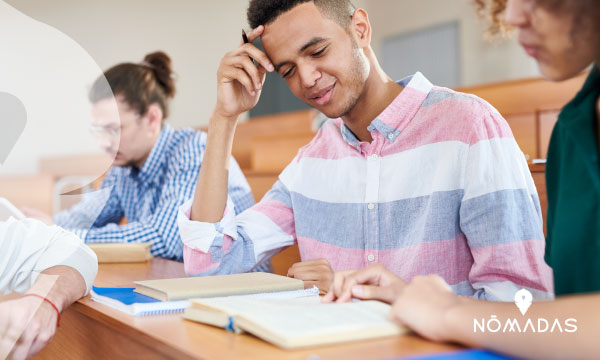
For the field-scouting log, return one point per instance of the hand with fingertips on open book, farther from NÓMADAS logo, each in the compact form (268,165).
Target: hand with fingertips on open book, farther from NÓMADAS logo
(372,283)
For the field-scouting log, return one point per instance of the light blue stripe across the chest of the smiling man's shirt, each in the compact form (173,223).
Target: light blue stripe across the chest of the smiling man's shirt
(401,223)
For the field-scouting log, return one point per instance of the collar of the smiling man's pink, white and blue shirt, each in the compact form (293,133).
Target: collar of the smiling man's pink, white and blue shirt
(398,114)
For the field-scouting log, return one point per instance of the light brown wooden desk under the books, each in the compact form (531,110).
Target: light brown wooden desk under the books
(90,330)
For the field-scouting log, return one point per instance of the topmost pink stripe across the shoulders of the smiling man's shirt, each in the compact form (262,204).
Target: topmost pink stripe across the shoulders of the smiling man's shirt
(467,121)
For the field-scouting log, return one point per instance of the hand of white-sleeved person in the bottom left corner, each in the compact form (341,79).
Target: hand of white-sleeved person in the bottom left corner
(27,325)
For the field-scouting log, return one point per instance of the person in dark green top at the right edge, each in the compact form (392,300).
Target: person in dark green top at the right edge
(562,36)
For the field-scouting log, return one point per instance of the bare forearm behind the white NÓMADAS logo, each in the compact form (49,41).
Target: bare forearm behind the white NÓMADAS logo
(527,343)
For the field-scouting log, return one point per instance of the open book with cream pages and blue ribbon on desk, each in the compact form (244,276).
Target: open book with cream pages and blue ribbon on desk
(293,323)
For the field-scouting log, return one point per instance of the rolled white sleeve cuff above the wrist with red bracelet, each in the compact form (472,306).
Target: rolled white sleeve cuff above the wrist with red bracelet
(68,250)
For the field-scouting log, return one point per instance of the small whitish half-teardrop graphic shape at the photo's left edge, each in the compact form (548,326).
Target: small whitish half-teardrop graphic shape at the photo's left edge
(12,123)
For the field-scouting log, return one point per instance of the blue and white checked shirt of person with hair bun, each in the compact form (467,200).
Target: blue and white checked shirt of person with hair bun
(149,197)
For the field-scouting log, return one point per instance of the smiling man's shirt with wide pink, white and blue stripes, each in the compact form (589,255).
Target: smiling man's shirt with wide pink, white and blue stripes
(443,189)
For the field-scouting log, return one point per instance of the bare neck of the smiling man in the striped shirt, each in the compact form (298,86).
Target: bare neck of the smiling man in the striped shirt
(380,90)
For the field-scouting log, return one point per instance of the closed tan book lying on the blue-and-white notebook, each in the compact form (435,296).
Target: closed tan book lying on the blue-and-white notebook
(213,286)
